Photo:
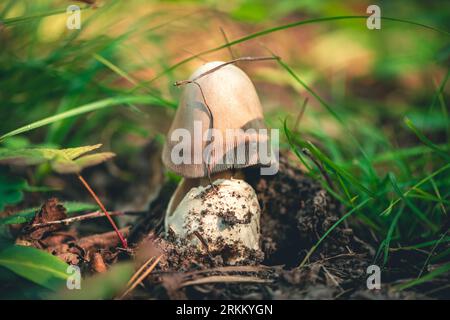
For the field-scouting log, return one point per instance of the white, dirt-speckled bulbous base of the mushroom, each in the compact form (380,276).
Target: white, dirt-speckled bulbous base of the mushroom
(222,221)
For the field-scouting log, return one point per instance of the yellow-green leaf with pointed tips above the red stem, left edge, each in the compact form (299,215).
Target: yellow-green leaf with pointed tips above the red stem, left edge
(70,160)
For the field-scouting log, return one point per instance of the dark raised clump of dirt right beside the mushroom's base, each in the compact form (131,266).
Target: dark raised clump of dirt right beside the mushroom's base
(296,212)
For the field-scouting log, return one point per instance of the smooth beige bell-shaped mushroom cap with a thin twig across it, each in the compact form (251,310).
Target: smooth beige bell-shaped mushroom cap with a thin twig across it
(234,104)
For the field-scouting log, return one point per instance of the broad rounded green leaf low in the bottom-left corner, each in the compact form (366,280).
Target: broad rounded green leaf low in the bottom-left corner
(35,265)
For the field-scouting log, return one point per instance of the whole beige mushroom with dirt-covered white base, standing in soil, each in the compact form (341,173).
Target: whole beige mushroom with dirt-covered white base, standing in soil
(213,208)
